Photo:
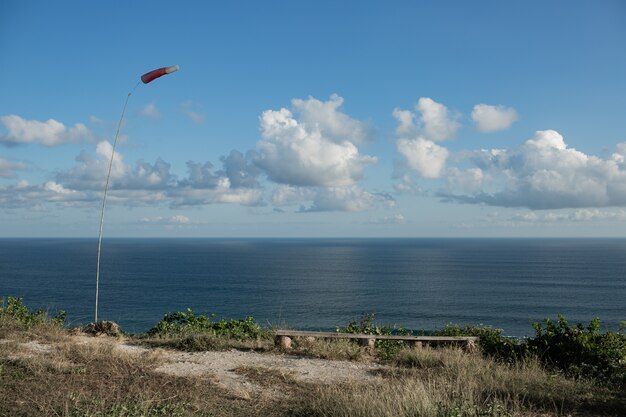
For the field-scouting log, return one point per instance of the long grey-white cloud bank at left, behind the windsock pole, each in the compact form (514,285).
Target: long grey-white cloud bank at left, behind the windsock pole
(143,184)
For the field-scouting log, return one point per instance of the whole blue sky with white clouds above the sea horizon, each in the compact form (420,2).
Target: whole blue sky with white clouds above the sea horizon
(314,119)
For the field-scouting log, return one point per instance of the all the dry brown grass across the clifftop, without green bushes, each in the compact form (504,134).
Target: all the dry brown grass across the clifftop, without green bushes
(67,375)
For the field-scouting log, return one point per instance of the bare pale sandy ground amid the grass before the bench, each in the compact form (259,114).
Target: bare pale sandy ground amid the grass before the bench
(222,366)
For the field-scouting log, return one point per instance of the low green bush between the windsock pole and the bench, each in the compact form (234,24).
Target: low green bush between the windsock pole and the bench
(181,323)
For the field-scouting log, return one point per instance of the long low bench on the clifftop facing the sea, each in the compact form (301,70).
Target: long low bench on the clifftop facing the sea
(283,339)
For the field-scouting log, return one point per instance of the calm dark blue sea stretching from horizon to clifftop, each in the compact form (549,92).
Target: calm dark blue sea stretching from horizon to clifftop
(323,283)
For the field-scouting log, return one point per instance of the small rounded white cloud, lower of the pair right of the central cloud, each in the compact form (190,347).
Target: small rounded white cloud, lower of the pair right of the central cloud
(424,156)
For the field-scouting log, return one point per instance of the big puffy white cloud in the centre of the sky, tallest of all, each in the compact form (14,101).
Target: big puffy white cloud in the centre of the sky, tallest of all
(318,148)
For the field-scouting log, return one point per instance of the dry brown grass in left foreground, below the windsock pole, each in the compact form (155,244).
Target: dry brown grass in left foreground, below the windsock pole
(78,377)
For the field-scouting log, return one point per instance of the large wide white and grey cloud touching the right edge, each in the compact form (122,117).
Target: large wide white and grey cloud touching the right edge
(545,173)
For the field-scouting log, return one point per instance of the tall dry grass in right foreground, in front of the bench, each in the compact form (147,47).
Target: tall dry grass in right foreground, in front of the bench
(449,382)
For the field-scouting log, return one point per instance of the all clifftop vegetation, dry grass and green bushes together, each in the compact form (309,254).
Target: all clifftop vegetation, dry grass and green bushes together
(562,370)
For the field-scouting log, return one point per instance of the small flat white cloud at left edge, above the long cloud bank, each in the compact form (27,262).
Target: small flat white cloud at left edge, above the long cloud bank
(49,133)
